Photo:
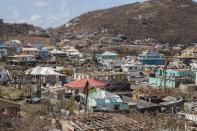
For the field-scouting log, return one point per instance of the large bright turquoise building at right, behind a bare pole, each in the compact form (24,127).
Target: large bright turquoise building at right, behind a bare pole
(173,77)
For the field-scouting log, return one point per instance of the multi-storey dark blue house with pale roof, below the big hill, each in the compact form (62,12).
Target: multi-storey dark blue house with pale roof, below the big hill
(151,58)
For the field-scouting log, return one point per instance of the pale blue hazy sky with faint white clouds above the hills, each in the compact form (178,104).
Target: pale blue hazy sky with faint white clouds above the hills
(51,13)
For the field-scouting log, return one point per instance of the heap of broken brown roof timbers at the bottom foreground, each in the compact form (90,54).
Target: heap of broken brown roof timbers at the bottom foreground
(106,121)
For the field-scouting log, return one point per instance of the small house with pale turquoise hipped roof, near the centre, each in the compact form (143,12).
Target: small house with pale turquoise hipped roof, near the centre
(108,56)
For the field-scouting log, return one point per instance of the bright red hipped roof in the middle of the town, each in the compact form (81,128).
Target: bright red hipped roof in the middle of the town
(82,83)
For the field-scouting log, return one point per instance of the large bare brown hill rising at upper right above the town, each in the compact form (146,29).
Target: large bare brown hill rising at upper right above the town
(170,21)
